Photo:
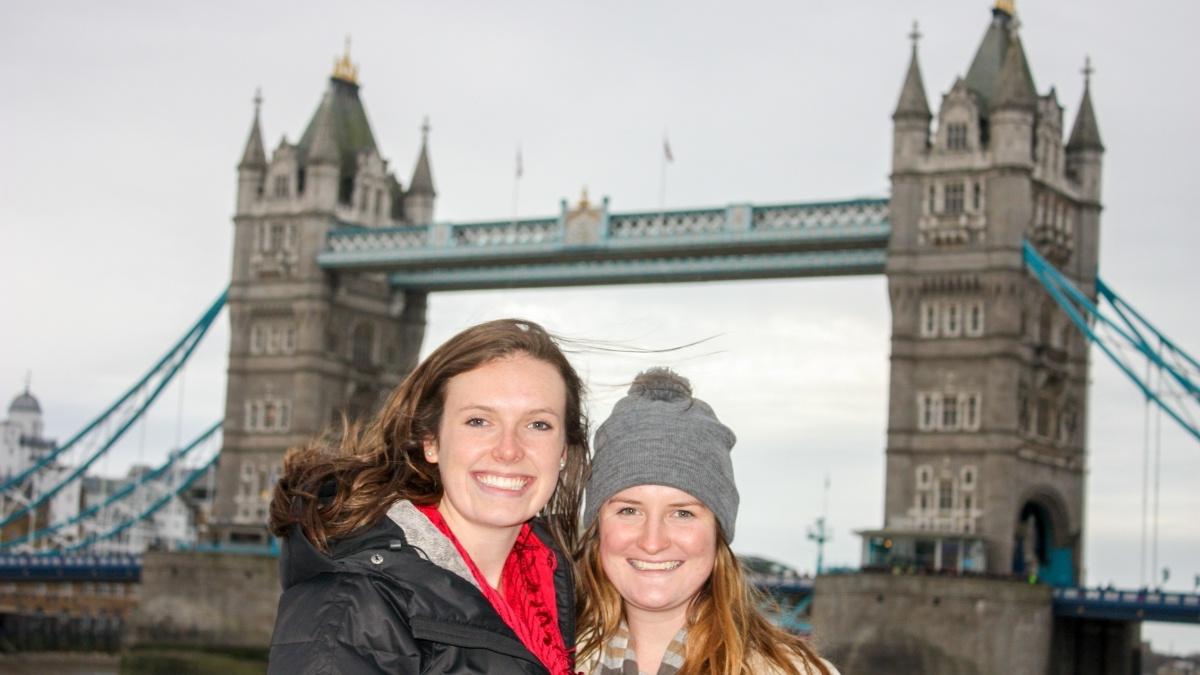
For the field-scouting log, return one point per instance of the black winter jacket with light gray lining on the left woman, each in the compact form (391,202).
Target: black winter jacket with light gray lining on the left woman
(397,598)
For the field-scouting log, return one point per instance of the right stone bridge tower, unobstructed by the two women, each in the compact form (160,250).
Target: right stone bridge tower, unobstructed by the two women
(987,452)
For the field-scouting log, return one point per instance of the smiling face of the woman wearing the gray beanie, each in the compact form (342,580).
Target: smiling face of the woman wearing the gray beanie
(658,546)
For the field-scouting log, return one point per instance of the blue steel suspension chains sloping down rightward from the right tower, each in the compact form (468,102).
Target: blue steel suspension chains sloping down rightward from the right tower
(1084,314)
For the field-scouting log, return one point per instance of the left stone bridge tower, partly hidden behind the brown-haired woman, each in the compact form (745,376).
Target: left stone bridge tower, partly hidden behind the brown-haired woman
(309,345)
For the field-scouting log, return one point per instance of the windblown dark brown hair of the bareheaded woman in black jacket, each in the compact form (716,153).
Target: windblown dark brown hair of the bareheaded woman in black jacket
(334,487)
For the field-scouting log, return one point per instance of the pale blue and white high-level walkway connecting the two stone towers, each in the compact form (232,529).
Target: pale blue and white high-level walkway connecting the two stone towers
(589,246)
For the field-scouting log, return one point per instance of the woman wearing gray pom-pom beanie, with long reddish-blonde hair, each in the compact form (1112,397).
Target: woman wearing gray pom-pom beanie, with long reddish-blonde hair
(659,589)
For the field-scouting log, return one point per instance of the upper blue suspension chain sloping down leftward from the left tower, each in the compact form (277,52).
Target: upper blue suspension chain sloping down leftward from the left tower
(173,362)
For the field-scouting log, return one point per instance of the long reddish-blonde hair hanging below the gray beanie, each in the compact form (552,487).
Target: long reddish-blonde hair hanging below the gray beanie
(727,632)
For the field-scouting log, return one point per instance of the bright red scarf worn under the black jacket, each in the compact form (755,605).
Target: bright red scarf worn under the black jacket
(527,605)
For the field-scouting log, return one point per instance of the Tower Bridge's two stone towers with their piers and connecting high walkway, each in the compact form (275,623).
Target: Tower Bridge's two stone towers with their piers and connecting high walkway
(994,205)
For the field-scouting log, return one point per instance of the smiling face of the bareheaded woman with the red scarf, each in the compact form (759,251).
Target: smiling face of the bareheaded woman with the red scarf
(500,445)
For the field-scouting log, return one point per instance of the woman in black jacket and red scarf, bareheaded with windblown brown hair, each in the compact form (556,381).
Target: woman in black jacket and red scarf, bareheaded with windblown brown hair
(433,540)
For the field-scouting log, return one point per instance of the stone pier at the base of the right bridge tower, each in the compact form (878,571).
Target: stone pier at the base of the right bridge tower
(929,625)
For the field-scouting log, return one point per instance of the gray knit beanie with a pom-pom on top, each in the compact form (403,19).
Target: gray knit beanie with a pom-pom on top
(661,435)
